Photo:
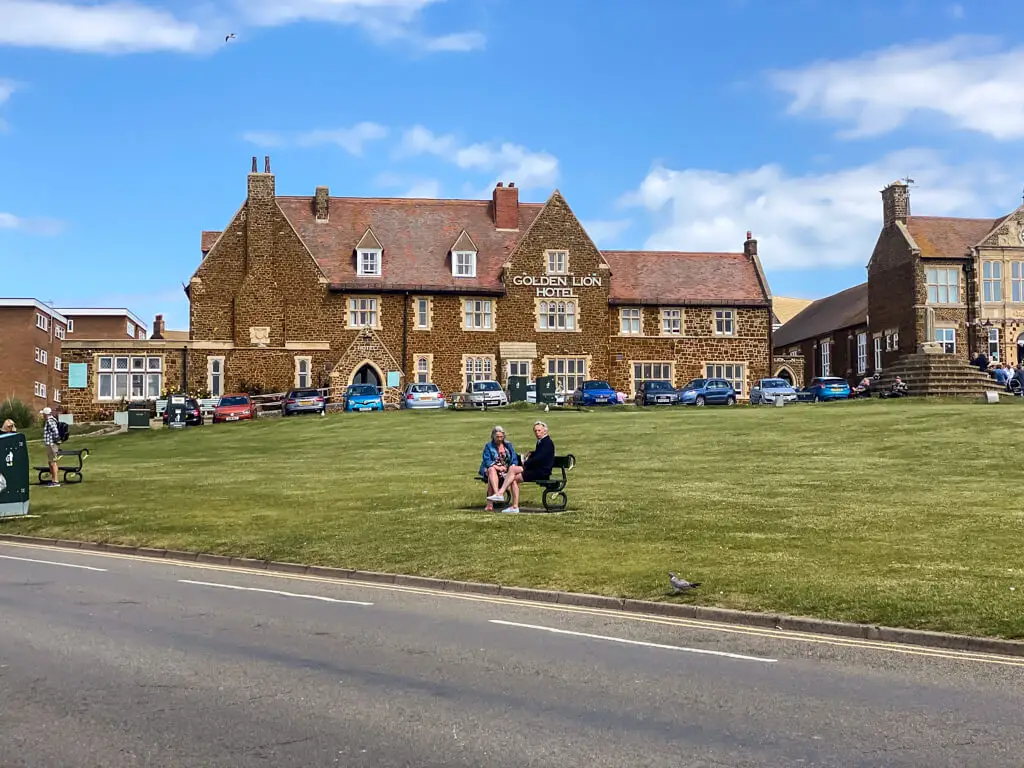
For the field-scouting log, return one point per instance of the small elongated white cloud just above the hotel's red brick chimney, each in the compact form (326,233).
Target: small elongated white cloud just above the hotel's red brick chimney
(506,161)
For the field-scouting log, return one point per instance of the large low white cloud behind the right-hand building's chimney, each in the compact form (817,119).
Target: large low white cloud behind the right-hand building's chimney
(829,220)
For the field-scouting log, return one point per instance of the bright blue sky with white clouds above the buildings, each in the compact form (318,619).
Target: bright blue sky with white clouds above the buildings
(127,129)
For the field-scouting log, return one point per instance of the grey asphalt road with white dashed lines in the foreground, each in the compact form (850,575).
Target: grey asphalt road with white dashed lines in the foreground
(112,661)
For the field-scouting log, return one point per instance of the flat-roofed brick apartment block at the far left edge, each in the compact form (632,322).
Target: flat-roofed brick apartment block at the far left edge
(31,364)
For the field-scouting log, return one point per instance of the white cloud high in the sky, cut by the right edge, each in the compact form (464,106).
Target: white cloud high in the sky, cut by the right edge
(966,80)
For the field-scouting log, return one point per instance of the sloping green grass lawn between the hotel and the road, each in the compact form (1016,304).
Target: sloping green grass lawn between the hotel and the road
(897,514)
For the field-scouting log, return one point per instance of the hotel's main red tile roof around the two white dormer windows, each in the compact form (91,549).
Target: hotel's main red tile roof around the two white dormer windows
(417,236)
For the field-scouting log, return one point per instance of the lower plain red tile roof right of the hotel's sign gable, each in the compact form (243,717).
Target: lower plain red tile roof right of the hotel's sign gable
(673,278)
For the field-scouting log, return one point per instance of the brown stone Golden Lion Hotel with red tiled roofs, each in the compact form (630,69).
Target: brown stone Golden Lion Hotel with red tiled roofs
(326,291)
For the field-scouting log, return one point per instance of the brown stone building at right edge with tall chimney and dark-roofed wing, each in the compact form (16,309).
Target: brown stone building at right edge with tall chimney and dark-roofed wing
(959,282)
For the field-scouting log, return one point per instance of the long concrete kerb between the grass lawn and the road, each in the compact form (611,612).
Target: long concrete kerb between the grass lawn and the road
(679,611)
